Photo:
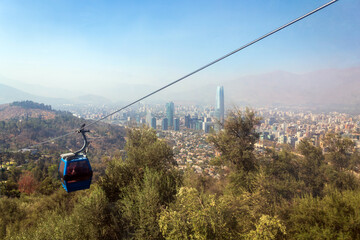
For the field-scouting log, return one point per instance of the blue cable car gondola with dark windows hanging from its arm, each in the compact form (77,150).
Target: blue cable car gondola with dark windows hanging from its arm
(75,169)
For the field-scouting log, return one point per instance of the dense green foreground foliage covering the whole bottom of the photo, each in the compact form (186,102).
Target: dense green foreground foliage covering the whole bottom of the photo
(306,194)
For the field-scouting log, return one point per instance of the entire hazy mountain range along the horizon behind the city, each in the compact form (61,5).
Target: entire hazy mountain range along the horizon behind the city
(333,89)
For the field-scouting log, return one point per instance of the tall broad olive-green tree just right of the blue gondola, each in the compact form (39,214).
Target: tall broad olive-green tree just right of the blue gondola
(139,186)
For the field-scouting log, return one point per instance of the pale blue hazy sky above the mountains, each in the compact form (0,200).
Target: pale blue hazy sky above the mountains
(98,45)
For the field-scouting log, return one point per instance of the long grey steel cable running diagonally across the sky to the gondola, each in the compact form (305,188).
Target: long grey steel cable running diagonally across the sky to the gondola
(200,69)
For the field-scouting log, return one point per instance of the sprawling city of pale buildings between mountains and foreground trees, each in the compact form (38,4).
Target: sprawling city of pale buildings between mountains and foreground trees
(278,128)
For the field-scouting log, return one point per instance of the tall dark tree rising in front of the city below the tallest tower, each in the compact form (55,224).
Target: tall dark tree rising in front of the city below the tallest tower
(236,147)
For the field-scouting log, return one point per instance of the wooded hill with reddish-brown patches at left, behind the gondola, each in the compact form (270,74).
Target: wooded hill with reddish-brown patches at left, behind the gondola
(22,125)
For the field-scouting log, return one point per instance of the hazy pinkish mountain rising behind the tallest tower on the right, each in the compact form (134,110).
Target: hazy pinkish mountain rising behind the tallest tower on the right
(332,89)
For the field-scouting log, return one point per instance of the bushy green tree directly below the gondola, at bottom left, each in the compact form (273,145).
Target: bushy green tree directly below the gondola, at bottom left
(89,218)
